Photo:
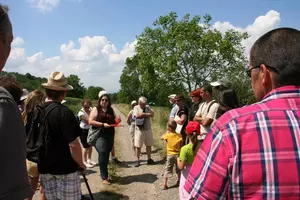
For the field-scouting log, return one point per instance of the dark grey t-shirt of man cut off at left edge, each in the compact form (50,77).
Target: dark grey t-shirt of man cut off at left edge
(14,183)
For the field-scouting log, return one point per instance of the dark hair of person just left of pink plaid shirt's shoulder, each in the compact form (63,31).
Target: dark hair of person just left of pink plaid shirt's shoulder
(228,99)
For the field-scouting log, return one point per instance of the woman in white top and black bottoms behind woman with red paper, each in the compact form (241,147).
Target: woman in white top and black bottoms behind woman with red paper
(83,115)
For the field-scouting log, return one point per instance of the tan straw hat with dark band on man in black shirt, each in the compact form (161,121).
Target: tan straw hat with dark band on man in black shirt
(57,81)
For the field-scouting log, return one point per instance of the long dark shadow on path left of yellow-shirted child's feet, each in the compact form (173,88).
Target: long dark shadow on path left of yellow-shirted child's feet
(143,178)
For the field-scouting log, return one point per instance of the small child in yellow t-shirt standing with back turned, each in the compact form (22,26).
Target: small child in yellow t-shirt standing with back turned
(174,143)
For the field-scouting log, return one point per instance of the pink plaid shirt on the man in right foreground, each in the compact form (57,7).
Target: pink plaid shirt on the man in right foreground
(252,152)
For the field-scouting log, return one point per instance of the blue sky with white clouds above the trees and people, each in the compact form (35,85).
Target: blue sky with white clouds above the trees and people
(92,38)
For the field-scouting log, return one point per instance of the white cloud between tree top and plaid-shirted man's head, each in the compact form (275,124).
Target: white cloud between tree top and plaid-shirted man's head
(260,26)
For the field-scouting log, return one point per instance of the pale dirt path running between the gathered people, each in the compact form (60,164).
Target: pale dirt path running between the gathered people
(143,182)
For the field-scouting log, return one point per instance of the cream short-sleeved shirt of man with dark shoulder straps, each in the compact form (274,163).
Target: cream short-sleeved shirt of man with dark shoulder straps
(207,110)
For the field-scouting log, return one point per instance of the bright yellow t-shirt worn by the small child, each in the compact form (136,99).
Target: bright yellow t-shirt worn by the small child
(174,141)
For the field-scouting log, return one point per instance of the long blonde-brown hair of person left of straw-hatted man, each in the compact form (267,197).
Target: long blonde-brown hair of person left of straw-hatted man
(34,98)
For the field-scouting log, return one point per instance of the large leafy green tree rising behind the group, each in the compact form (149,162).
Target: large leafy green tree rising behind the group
(184,54)
